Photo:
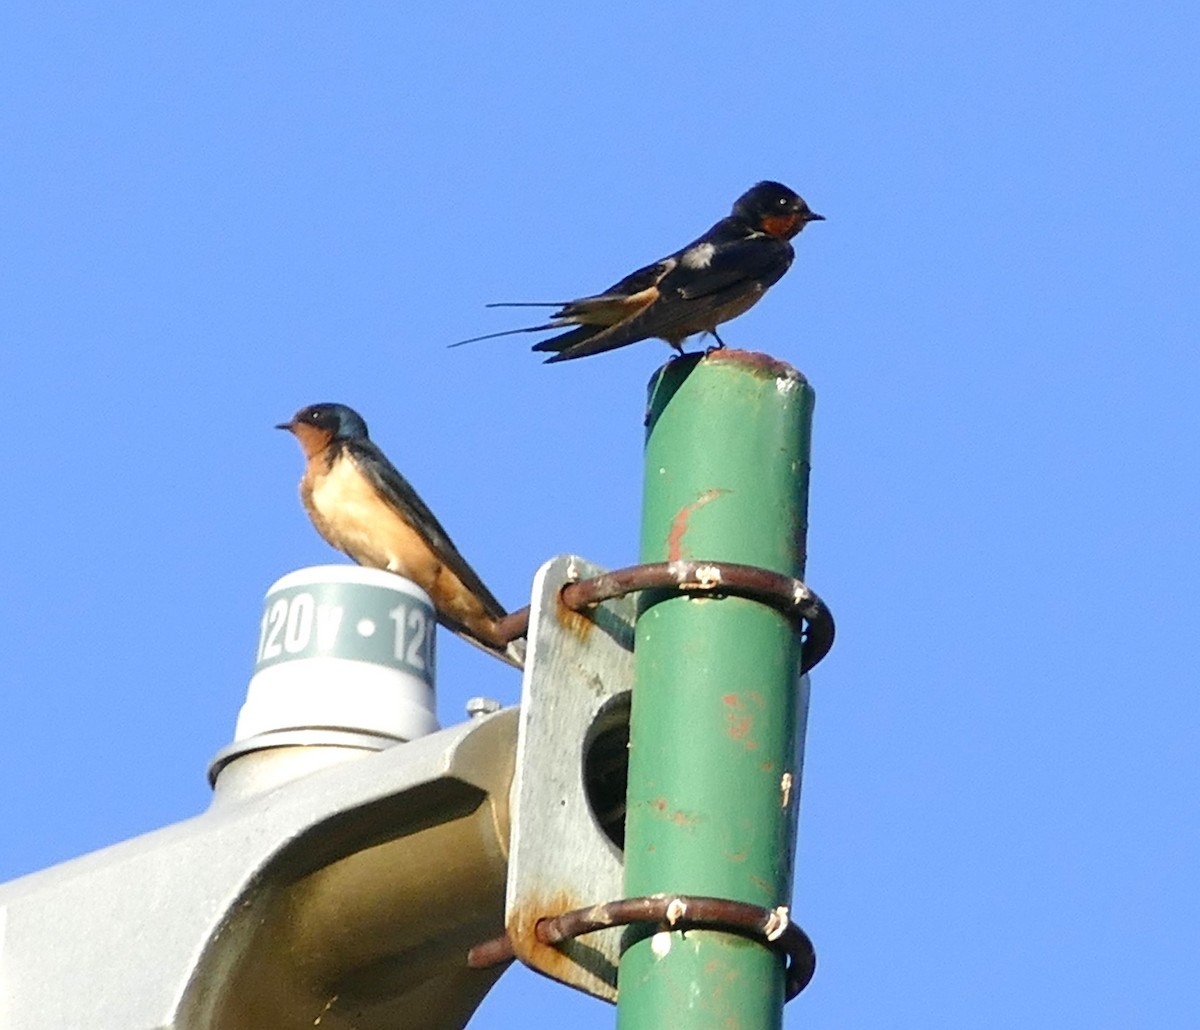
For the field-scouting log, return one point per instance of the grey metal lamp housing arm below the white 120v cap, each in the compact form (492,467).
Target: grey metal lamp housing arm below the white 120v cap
(344,899)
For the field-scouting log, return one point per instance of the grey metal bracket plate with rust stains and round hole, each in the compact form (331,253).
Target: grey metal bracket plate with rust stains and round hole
(574,700)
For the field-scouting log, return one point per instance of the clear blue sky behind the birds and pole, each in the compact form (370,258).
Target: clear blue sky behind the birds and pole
(212,215)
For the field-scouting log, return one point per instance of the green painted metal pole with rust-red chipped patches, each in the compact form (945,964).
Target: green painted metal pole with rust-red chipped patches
(718,710)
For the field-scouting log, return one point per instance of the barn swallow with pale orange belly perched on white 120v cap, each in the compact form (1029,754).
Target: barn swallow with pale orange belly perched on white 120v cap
(367,510)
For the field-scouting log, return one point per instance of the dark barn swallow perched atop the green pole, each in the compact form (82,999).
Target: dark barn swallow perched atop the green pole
(713,279)
